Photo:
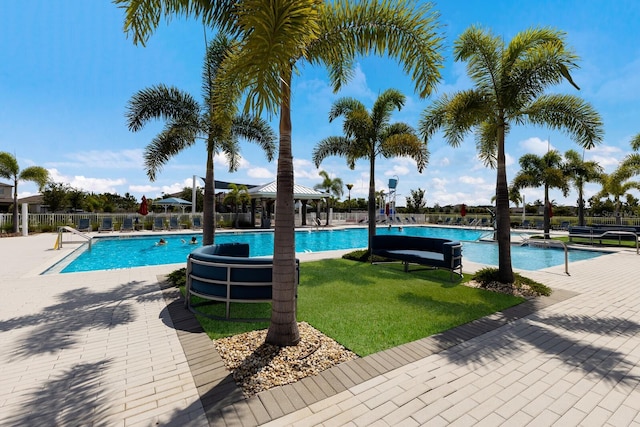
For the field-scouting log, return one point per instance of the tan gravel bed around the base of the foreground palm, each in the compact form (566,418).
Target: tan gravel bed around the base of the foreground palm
(257,366)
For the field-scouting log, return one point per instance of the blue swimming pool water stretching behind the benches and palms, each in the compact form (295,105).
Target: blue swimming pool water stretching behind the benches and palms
(131,251)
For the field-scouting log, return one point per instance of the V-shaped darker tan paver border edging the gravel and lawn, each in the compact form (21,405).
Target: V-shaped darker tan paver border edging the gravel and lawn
(222,399)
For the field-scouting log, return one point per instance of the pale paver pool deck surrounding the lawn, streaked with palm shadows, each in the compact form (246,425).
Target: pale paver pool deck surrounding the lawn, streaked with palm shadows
(112,348)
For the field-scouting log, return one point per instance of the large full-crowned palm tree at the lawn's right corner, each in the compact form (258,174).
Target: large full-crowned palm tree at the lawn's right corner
(510,81)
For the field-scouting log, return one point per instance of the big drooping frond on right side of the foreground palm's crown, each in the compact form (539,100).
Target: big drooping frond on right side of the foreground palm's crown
(405,30)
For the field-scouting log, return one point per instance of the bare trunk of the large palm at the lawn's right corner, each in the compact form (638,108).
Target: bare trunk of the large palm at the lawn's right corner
(503,219)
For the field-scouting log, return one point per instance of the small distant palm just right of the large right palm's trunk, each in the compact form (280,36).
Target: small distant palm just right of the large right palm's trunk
(546,171)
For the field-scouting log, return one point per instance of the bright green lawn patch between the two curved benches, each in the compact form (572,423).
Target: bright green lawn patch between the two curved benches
(369,308)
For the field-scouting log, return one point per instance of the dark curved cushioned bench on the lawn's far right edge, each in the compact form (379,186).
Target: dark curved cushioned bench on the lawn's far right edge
(437,253)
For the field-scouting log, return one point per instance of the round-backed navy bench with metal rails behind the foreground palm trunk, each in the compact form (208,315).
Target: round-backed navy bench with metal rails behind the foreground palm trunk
(225,273)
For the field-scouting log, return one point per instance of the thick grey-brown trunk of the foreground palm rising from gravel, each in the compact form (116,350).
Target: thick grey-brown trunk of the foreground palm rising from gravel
(283,329)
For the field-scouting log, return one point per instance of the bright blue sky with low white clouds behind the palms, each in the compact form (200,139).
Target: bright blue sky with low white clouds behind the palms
(67,71)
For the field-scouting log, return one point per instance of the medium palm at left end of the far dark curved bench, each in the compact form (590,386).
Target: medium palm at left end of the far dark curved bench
(368,135)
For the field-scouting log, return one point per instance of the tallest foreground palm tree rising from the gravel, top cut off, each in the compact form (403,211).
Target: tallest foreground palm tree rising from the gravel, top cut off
(278,34)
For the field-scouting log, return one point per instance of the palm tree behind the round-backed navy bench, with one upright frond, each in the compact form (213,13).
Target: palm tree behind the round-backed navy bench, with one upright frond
(187,121)
